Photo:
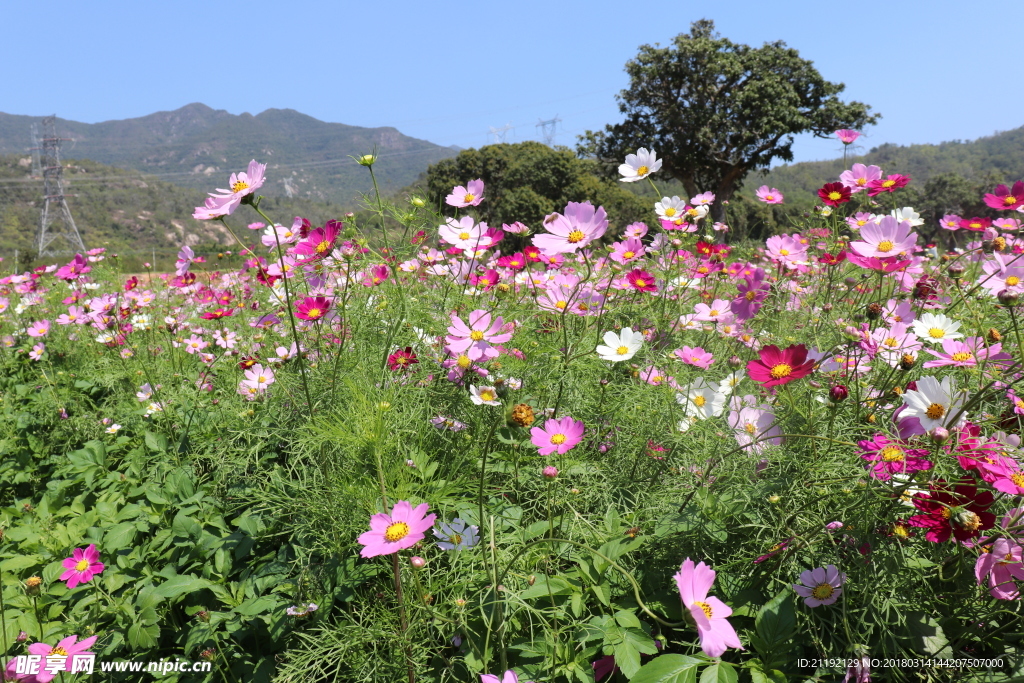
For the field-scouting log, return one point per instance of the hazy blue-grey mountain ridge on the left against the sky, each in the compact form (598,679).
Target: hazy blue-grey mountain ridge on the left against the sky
(197,147)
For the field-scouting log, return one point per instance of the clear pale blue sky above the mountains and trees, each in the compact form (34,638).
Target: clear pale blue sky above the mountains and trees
(449,72)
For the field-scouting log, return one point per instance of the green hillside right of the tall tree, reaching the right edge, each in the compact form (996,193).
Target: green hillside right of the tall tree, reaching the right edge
(999,158)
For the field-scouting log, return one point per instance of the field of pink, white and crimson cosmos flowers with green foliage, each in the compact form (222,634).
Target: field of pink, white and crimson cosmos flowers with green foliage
(419,448)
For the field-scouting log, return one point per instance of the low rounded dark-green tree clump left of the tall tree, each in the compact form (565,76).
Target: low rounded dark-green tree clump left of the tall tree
(526,182)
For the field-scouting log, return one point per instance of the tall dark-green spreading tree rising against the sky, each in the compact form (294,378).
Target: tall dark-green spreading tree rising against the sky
(715,111)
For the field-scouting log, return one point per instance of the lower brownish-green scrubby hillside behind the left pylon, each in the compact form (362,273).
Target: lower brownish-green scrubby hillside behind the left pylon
(139,218)
